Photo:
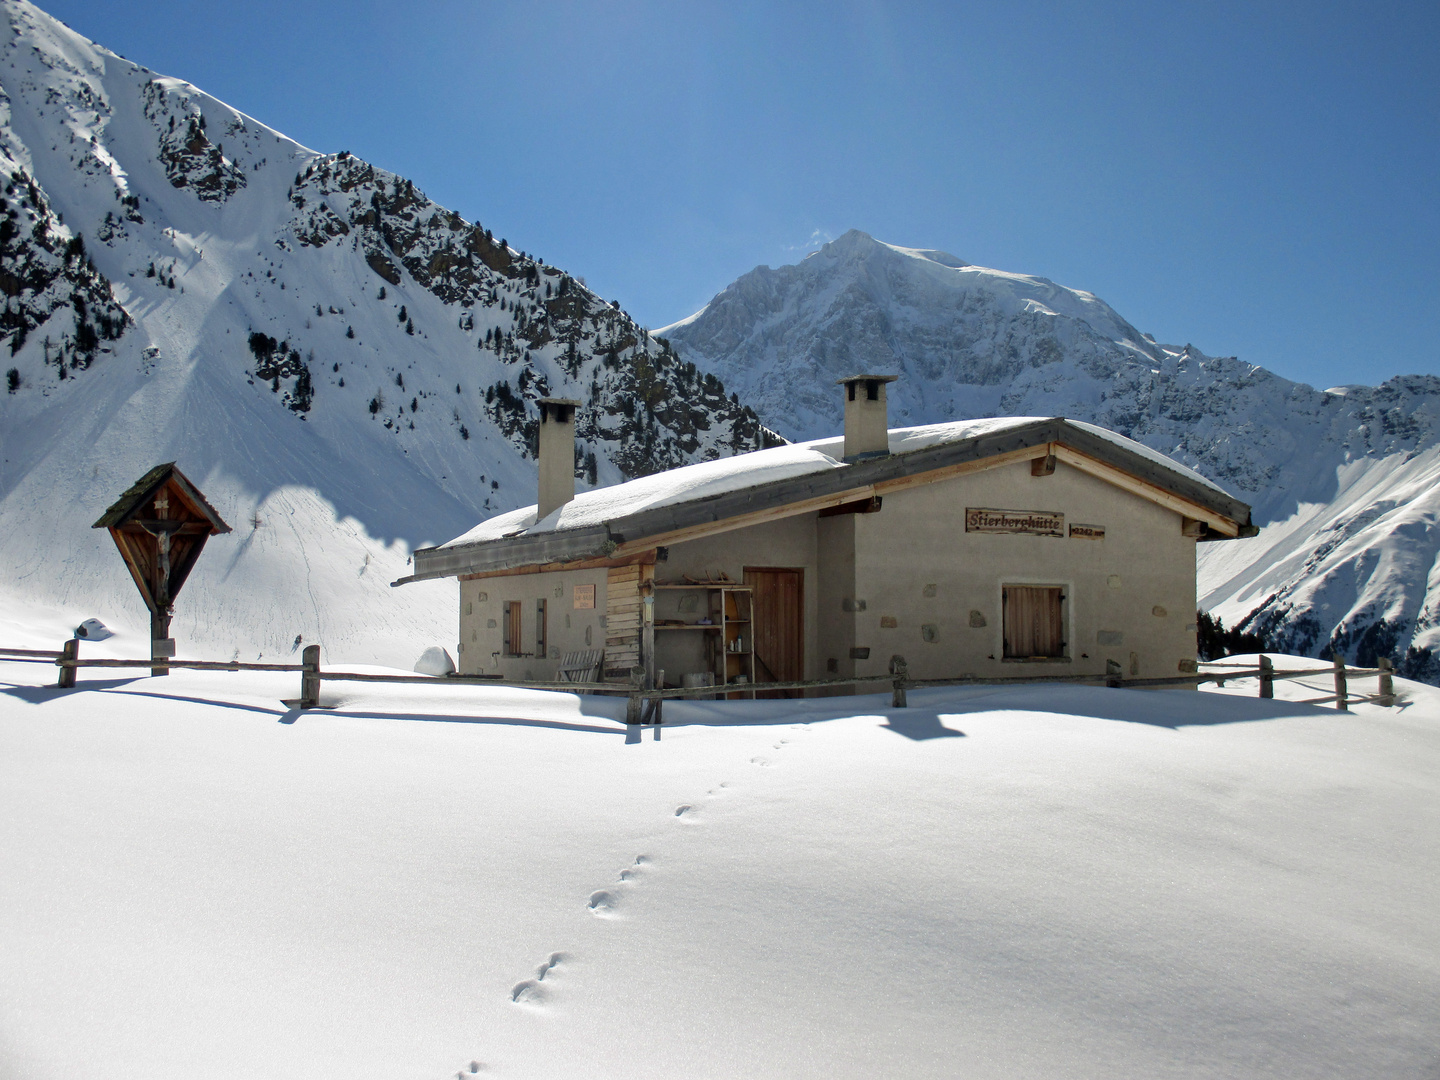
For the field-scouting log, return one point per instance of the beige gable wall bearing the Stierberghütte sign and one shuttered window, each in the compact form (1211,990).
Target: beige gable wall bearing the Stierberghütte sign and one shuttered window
(1134,590)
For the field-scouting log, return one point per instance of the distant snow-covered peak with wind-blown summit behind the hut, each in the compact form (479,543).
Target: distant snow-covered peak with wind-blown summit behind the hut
(1343,480)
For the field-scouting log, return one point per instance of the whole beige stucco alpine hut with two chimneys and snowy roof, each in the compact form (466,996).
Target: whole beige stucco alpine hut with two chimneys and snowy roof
(984,548)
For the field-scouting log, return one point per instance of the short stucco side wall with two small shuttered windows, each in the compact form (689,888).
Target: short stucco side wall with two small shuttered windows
(482,611)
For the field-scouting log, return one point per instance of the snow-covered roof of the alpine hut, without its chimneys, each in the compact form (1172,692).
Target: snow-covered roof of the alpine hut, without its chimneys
(708,492)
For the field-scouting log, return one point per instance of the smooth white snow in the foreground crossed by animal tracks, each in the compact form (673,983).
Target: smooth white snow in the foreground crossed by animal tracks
(993,883)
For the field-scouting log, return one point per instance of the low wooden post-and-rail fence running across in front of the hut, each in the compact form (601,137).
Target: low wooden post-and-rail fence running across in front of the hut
(644,703)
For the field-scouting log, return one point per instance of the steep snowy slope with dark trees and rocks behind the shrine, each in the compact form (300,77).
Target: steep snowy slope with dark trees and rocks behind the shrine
(345,368)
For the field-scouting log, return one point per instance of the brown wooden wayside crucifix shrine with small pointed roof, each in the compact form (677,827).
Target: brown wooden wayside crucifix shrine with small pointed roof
(161,526)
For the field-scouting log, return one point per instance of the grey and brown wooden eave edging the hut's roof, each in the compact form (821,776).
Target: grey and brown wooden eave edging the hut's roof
(833,487)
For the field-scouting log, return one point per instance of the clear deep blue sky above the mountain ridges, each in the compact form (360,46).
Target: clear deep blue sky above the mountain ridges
(1255,179)
